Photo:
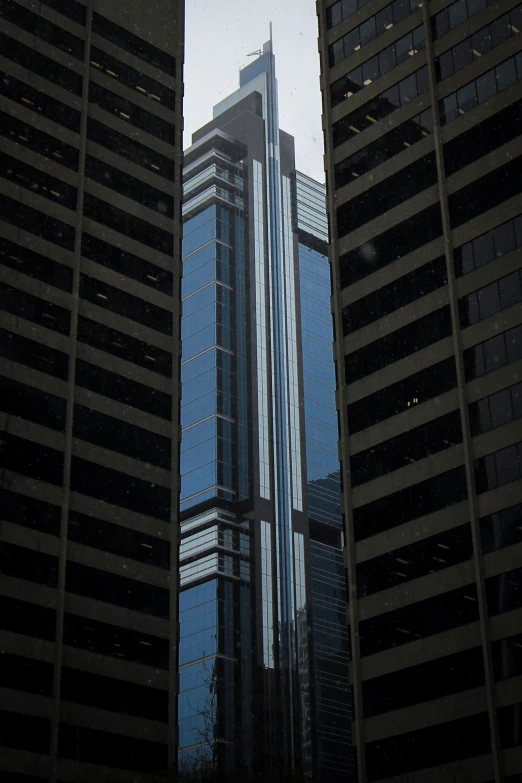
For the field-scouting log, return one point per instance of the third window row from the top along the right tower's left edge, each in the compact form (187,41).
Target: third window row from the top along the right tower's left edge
(377,66)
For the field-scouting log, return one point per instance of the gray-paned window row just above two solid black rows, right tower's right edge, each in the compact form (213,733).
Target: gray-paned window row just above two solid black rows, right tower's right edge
(480,89)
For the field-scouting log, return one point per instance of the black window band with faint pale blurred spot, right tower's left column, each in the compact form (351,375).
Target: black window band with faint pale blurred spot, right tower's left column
(391,245)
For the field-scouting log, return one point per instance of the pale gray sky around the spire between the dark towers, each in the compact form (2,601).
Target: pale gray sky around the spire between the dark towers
(220,34)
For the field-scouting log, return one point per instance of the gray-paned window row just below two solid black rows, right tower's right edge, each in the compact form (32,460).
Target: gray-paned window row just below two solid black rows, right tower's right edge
(497,242)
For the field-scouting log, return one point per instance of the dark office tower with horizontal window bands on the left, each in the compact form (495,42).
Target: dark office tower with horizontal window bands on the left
(90,236)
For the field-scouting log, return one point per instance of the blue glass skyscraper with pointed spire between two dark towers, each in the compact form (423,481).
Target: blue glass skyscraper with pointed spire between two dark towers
(263,639)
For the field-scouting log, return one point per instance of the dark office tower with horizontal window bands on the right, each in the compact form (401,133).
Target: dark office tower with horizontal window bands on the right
(422,116)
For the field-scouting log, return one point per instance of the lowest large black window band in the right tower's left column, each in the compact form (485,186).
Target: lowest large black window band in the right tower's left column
(429,747)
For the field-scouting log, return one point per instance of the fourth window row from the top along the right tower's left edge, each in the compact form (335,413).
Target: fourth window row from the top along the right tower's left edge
(381,106)
